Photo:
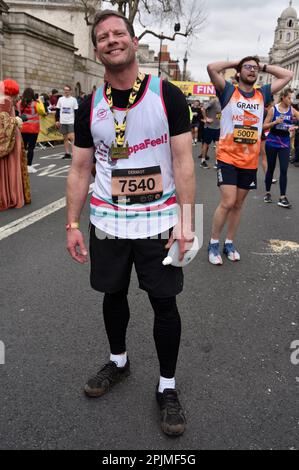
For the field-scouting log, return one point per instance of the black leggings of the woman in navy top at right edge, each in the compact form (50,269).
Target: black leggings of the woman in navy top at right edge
(283,155)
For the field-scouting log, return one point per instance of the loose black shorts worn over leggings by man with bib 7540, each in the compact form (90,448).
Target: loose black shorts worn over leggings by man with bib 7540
(112,261)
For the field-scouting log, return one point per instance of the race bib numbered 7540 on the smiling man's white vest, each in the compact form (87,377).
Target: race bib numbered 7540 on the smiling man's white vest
(137,185)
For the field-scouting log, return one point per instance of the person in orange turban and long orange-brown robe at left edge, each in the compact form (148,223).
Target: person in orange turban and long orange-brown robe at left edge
(14,180)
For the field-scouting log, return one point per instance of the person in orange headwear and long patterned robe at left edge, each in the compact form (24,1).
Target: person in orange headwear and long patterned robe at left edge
(14,181)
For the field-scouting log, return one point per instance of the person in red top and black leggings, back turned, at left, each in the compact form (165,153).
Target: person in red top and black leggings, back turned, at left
(30,109)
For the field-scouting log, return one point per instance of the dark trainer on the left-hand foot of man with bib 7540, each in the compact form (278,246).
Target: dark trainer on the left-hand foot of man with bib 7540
(105,378)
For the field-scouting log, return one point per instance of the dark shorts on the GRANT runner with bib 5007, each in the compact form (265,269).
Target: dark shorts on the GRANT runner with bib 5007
(234,176)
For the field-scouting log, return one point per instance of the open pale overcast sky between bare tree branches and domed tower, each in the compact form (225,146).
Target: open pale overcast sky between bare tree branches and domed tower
(234,29)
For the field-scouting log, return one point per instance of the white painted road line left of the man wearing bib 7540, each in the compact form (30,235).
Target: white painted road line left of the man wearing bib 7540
(23,222)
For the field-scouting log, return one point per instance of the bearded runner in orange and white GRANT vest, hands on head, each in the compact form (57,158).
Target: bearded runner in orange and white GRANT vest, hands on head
(240,141)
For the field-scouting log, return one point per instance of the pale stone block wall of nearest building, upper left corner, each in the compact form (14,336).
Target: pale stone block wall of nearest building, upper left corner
(36,54)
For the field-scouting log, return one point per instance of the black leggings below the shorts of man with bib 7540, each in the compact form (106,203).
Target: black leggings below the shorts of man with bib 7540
(167,328)
